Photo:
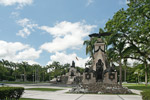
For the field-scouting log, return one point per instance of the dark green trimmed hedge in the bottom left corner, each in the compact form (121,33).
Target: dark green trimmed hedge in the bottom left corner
(8,93)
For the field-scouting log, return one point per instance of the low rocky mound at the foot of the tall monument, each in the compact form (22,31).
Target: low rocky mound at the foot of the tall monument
(101,88)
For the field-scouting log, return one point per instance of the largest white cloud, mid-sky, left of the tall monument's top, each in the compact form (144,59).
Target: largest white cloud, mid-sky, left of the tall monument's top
(66,35)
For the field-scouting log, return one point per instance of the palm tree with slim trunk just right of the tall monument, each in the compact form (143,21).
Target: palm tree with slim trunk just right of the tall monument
(118,51)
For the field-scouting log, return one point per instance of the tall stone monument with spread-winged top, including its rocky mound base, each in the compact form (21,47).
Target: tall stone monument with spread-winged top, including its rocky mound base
(100,77)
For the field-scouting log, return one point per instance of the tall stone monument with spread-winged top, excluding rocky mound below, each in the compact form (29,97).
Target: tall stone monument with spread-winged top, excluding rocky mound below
(100,71)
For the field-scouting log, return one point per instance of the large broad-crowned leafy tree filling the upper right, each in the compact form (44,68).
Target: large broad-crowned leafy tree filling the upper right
(134,24)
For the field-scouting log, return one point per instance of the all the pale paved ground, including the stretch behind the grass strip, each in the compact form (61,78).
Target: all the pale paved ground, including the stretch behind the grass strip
(62,95)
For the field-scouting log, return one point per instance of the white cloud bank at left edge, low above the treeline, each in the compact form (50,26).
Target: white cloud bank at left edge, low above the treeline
(17,52)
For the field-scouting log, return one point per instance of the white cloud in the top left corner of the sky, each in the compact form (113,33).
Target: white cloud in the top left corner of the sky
(20,3)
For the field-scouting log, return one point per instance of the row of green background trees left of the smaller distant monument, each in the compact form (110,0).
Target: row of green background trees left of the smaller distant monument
(23,72)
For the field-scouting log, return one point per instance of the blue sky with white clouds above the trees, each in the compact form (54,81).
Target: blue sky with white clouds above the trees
(43,31)
